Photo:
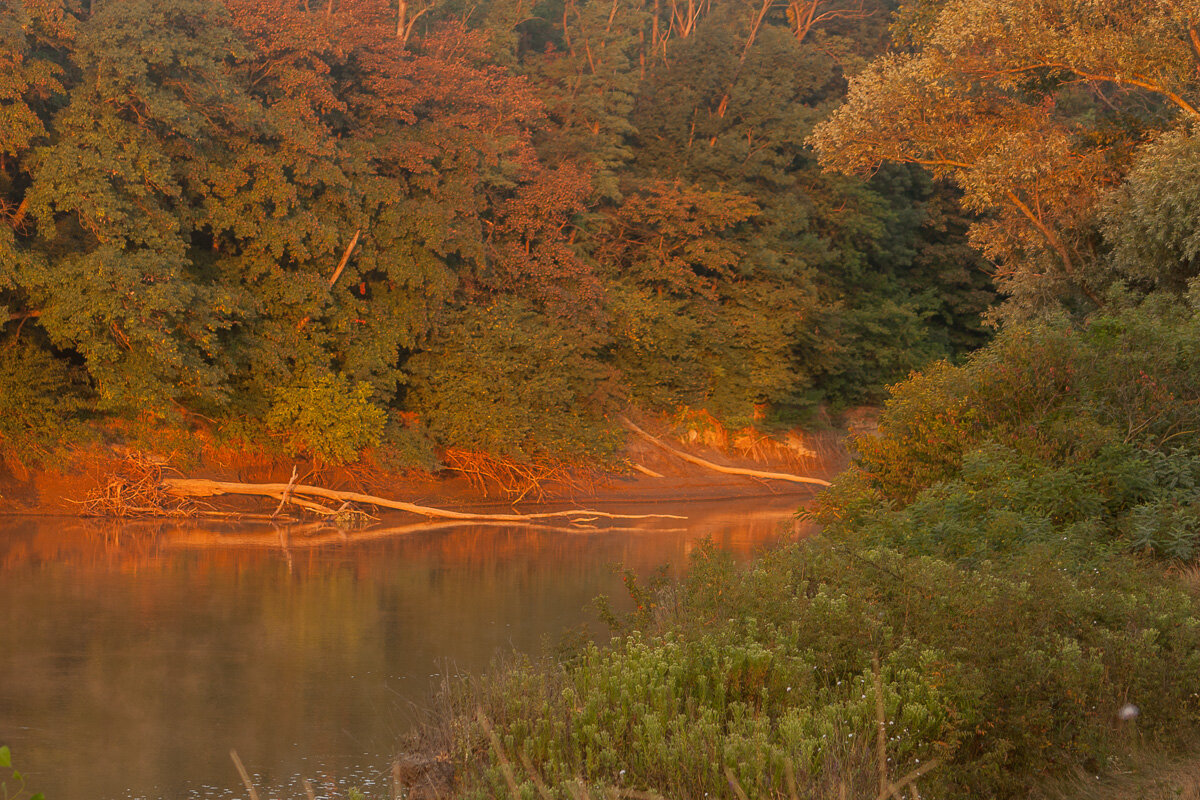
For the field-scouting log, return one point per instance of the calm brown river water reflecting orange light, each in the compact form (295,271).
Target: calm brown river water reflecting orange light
(135,658)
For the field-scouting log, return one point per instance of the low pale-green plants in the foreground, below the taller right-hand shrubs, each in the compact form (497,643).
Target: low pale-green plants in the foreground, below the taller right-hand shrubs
(1005,670)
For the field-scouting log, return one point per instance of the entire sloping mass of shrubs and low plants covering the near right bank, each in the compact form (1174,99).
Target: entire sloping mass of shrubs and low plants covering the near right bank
(1005,572)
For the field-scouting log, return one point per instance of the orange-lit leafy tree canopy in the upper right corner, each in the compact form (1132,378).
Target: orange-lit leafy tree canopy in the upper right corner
(1037,111)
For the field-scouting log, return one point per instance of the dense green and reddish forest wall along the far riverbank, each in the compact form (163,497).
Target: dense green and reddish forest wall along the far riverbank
(331,227)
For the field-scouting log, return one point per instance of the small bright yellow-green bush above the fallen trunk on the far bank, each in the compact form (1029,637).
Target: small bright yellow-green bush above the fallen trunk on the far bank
(327,417)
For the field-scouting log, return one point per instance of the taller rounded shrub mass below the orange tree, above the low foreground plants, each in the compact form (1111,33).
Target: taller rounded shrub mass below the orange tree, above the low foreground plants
(1051,428)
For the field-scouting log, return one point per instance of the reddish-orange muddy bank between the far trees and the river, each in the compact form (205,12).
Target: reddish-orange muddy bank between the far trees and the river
(640,473)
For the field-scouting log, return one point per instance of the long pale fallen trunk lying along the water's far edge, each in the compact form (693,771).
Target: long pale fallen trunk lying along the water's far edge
(200,488)
